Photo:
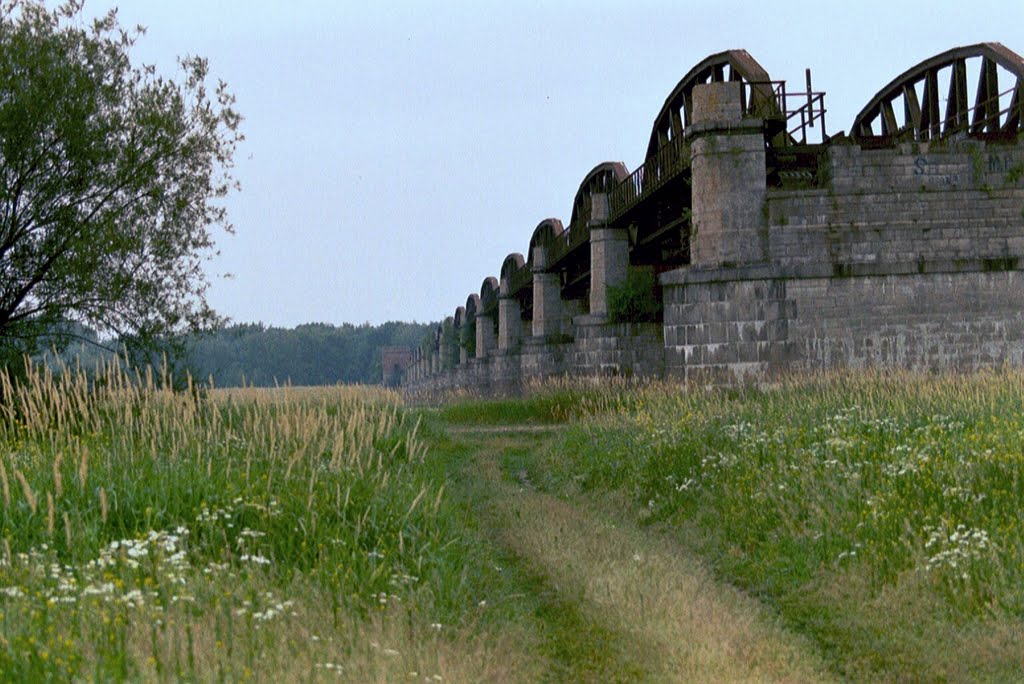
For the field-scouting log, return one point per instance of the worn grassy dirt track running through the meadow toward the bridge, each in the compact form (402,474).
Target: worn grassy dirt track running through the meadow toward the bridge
(616,602)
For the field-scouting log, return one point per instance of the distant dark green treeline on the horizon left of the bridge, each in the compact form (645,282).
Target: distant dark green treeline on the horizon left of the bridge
(258,355)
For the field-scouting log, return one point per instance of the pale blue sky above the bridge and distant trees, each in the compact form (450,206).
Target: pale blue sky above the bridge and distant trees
(398,152)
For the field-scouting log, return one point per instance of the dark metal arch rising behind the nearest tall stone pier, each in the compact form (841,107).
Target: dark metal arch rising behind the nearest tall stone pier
(729,66)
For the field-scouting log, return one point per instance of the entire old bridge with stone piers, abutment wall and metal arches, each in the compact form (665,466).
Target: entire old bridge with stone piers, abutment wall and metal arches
(743,250)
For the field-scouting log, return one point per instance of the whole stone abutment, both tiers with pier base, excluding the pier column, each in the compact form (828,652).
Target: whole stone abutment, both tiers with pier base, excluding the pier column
(910,258)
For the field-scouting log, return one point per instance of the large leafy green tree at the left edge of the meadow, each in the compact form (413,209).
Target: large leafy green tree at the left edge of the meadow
(112,179)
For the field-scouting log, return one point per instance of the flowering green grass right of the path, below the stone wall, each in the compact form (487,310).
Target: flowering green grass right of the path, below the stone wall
(878,512)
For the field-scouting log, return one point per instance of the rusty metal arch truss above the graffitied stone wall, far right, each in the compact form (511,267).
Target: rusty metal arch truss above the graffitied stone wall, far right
(916,95)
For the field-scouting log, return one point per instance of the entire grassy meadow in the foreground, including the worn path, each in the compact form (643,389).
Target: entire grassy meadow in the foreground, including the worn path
(861,527)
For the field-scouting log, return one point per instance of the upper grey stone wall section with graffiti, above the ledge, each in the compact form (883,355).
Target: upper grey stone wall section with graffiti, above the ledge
(904,205)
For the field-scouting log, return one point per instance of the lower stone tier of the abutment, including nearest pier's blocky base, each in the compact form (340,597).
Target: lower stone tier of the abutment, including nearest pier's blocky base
(726,327)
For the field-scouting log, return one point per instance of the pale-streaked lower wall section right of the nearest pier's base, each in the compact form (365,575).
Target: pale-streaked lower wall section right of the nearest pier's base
(963,321)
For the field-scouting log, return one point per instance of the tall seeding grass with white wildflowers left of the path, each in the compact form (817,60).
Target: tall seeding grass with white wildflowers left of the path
(206,534)
